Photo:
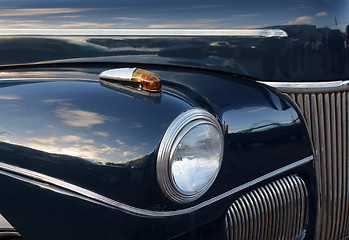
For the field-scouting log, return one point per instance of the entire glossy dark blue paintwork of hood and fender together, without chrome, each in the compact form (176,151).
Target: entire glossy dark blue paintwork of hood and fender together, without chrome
(106,140)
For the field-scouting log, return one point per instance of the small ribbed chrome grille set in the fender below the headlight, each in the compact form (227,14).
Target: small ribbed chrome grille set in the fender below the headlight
(275,211)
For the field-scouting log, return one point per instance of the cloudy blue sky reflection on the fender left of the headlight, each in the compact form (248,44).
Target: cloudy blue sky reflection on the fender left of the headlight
(63,121)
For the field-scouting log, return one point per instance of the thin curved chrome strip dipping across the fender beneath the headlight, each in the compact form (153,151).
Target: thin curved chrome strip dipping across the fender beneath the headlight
(112,203)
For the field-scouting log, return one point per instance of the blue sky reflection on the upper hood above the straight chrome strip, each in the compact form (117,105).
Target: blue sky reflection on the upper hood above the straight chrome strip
(174,14)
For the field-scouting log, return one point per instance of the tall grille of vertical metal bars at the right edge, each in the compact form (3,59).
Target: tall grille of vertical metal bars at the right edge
(327,115)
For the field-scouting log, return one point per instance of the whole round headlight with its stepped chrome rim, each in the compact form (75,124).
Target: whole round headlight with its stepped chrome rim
(190,156)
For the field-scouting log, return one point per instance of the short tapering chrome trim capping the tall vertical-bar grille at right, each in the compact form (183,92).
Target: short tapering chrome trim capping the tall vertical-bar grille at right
(309,87)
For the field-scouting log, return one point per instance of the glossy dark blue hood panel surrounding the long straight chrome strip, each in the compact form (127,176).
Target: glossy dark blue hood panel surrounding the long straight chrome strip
(316,48)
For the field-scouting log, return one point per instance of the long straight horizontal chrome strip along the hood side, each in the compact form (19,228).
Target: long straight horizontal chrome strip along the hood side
(145,32)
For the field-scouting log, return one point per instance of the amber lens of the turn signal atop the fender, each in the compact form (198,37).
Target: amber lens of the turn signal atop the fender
(149,81)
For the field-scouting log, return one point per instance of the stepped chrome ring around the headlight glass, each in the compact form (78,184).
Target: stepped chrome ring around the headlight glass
(175,132)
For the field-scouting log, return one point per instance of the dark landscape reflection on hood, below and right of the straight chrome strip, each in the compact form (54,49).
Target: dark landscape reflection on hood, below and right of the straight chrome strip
(322,58)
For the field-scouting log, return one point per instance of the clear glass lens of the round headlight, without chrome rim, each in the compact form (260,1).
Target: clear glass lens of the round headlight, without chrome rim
(196,158)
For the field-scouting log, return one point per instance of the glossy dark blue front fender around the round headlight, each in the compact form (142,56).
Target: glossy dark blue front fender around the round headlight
(106,140)
